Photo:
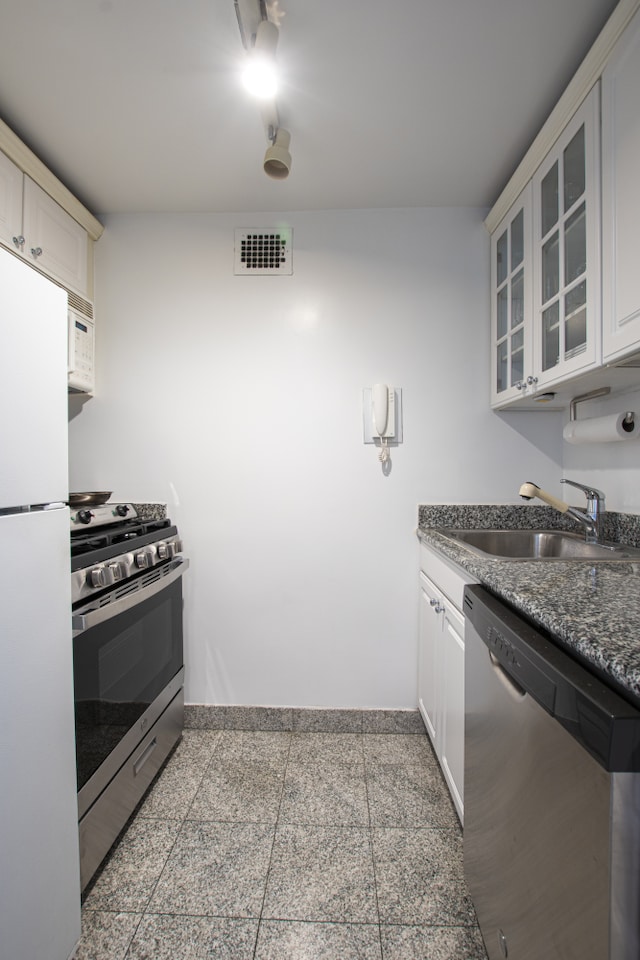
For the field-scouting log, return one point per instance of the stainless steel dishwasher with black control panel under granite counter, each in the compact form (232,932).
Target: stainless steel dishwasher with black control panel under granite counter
(552,796)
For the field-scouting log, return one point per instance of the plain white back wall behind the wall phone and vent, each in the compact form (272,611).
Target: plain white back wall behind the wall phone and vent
(237,400)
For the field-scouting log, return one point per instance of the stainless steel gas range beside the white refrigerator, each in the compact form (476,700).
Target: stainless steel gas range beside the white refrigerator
(126,584)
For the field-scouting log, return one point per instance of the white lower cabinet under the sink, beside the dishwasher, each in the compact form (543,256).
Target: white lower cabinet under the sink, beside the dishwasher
(441,666)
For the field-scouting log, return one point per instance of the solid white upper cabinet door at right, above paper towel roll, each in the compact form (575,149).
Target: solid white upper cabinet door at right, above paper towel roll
(621,197)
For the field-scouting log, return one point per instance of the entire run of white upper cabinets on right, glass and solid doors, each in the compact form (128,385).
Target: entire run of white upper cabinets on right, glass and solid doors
(568,321)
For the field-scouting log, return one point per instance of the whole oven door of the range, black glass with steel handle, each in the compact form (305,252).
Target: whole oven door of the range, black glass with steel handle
(128,657)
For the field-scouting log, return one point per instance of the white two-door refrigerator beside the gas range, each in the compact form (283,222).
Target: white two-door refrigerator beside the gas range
(39,866)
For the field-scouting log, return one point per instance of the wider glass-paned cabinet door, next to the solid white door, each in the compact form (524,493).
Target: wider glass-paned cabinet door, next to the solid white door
(566,224)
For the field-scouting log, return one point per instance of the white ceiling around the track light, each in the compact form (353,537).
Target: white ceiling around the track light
(136,104)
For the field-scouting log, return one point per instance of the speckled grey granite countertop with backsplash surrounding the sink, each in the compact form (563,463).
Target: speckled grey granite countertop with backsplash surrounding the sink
(591,609)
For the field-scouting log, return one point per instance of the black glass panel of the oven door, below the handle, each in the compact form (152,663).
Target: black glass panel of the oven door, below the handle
(120,667)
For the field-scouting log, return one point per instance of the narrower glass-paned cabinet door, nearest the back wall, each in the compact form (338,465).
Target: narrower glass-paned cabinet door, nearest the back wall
(511,363)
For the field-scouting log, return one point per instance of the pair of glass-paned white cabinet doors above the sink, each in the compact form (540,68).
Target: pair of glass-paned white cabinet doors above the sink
(545,271)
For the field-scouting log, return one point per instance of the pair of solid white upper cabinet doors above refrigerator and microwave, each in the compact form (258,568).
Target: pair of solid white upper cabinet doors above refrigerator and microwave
(36,227)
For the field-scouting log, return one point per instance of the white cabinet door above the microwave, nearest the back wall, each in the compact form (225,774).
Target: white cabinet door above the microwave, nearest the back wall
(62,242)
